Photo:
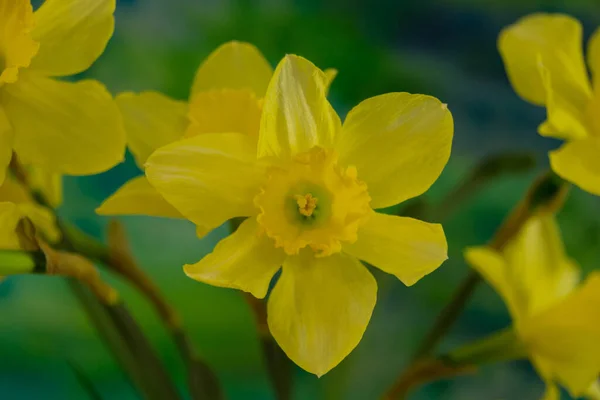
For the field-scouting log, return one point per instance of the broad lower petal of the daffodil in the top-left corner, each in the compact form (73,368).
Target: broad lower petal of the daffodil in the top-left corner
(70,128)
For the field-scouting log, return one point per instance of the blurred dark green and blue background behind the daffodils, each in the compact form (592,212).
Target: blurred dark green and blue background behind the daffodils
(446,48)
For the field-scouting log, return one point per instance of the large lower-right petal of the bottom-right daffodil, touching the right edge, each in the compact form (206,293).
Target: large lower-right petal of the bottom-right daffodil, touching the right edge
(565,337)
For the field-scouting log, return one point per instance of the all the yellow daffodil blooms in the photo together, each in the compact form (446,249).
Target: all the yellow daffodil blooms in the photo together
(267,146)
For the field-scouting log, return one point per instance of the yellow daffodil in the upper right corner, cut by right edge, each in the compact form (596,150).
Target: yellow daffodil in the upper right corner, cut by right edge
(544,60)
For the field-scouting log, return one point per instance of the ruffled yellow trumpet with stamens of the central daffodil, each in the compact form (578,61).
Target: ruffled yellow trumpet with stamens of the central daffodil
(313,202)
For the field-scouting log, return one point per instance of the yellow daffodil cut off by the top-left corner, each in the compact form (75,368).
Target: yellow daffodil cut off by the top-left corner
(62,127)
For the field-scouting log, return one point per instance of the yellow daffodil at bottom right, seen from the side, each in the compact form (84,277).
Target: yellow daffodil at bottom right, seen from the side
(556,318)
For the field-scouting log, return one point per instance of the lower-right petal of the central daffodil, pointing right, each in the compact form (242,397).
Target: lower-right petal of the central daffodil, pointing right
(404,247)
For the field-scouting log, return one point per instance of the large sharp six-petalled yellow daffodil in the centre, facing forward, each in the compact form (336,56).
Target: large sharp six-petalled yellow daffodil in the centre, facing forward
(308,187)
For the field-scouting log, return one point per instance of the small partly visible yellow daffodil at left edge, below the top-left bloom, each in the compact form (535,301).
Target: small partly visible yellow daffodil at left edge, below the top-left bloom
(15,204)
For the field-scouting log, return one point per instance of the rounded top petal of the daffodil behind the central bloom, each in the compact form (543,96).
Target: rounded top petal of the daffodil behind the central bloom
(234,65)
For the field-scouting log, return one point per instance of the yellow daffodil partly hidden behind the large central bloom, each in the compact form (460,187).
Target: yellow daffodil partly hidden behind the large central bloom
(226,96)
